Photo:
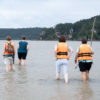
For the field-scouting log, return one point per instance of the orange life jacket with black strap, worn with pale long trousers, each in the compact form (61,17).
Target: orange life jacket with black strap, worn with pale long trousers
(62,51)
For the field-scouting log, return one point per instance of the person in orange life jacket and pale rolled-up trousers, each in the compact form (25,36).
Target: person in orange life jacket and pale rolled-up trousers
(62,53)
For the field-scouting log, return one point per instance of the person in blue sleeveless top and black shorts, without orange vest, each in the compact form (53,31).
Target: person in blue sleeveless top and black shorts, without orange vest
(22,51)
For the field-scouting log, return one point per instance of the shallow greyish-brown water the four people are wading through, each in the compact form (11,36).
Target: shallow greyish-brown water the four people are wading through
(36,80)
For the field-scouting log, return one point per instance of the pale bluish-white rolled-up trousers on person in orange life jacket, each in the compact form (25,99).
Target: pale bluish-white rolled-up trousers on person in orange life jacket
(62,63)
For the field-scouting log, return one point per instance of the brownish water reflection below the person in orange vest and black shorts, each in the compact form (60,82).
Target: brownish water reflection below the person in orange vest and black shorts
(84,92)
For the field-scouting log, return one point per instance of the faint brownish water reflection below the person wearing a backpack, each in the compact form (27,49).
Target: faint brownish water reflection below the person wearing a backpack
(9,86)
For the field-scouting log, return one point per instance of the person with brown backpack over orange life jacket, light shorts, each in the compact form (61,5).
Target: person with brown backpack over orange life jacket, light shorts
(8,53)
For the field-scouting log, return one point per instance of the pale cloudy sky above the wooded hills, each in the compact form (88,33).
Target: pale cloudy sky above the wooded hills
(45,13)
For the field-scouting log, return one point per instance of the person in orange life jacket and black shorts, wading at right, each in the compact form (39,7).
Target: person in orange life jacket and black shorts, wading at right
(84,57)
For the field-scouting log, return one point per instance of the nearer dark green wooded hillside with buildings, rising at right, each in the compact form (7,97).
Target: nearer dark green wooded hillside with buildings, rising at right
(74,31)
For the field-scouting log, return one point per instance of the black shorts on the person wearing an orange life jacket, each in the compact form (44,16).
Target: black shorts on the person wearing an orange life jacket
(85,66)
